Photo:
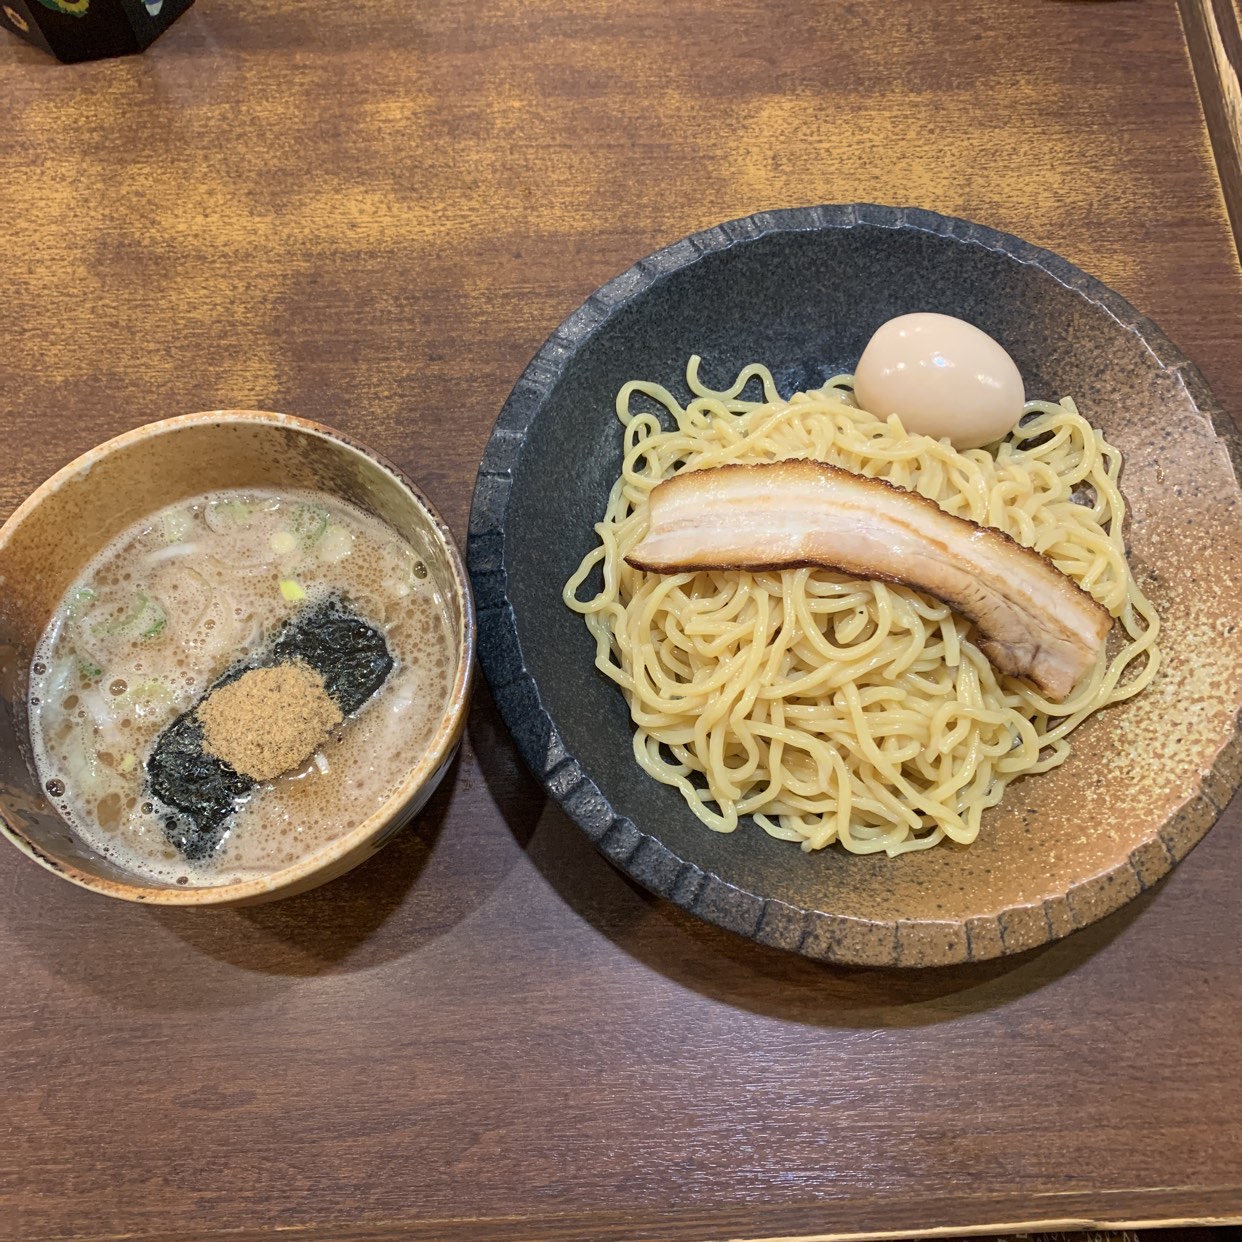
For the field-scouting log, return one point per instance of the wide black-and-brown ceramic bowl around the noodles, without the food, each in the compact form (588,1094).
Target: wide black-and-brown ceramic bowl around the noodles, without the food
(803,291)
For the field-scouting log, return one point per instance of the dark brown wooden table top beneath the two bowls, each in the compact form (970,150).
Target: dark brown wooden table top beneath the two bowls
(372,215)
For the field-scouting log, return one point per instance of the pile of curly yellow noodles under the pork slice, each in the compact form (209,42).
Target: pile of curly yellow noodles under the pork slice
(833,710)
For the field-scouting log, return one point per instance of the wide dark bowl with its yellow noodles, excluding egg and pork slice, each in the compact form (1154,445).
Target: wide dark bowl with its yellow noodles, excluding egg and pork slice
(835,763)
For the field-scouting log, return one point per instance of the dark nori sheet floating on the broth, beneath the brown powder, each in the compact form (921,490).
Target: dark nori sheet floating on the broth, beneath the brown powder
(201,791)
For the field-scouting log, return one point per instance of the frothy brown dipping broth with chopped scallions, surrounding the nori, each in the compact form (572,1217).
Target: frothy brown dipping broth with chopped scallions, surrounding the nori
(177,601)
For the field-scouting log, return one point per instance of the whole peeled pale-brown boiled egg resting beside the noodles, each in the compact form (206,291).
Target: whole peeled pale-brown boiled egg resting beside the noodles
(943,378)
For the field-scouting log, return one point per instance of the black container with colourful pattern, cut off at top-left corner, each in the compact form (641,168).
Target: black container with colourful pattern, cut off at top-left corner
(86,30)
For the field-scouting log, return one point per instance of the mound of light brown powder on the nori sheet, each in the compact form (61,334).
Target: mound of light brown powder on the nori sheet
(269,721)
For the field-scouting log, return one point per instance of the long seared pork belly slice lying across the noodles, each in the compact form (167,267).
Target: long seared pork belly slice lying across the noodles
(1033,620)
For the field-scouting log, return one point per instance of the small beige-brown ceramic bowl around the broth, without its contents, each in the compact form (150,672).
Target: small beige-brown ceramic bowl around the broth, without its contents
(47,545)
